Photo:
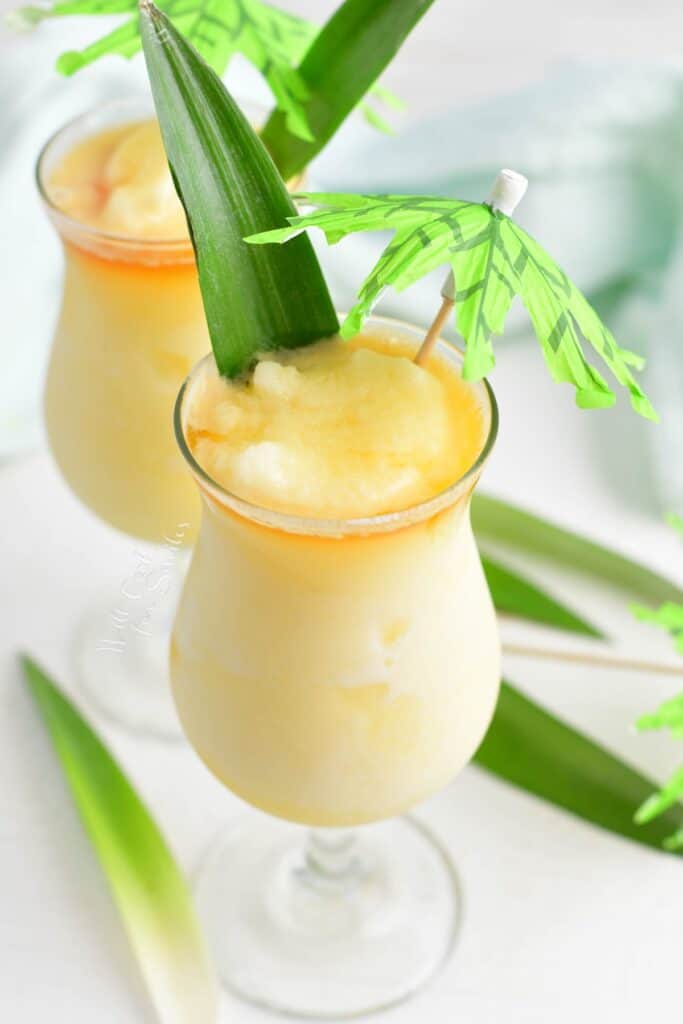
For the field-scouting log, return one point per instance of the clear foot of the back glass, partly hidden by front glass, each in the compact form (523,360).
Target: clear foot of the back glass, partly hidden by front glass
(123,673)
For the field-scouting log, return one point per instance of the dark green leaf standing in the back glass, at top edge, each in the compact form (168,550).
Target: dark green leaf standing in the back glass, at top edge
(339,69)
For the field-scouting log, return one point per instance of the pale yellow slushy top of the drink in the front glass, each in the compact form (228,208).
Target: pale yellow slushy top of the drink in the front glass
(336,431)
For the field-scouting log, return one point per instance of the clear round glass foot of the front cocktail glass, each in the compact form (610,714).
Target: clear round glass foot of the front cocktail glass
(347,925)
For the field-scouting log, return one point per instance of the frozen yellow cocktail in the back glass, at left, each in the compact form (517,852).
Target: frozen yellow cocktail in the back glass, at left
(132,325)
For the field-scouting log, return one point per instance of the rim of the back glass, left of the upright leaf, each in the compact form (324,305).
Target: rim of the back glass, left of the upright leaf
(81,229)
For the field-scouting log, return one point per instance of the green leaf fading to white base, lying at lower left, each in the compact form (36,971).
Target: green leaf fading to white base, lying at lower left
(146,883)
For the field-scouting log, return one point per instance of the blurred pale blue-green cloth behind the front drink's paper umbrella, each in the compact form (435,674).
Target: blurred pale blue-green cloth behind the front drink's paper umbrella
(603,146)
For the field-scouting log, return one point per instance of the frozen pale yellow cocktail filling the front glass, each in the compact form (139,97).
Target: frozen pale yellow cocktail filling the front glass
(335,658)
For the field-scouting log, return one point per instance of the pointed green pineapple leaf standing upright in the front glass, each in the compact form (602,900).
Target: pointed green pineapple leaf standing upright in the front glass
(255,300)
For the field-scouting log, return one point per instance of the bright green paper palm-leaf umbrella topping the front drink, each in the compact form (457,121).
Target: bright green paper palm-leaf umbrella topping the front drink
(493,260)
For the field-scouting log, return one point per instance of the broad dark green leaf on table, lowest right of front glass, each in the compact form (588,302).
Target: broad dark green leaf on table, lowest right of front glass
(534,751)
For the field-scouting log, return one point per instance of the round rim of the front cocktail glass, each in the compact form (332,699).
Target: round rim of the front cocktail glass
(383,523)
